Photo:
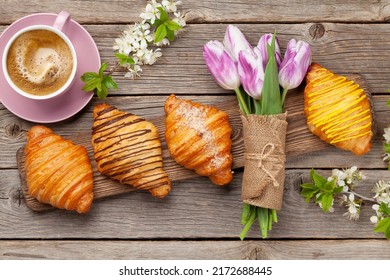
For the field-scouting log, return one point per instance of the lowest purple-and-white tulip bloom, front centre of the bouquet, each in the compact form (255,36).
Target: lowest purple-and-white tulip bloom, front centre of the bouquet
(251,71)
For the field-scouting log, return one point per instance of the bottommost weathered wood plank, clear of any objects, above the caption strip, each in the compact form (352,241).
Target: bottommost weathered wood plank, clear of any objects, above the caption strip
(196,250)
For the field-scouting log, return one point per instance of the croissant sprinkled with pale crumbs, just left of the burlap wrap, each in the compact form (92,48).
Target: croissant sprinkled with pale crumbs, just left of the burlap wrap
(198,138)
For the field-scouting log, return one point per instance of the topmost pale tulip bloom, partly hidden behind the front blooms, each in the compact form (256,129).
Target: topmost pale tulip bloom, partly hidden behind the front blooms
(235,41)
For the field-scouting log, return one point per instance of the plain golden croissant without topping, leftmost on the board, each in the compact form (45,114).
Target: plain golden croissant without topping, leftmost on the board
(58,172)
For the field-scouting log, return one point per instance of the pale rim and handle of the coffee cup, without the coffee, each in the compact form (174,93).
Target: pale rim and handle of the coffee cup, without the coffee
(60,22)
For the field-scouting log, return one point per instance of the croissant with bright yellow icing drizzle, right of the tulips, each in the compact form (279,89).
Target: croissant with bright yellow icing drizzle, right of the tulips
(338,110)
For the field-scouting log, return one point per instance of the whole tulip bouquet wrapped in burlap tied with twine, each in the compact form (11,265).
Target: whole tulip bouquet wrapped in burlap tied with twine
(261,79)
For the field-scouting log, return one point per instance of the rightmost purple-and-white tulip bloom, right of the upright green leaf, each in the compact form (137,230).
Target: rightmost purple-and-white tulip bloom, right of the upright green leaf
(294,66)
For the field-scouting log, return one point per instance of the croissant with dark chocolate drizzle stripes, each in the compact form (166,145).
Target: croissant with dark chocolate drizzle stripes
(128,149)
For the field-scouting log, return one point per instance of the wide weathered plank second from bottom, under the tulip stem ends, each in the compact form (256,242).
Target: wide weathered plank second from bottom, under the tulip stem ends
(194,209)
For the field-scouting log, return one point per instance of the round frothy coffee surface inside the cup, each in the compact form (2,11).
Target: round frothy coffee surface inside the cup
(39,62)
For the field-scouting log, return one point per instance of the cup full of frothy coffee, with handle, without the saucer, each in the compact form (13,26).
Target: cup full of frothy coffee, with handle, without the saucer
(39,61)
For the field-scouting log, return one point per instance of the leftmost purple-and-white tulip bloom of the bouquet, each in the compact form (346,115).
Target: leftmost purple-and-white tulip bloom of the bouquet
(221,66)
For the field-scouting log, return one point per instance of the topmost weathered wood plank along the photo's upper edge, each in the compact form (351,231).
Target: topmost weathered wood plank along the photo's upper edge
(87,11)
